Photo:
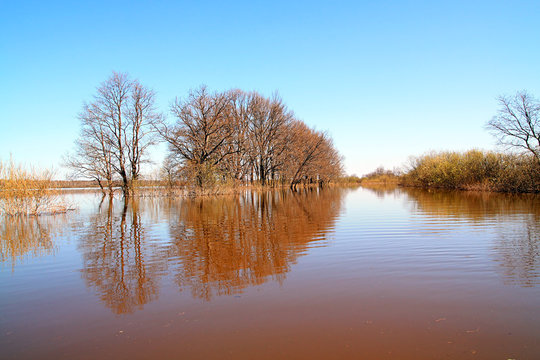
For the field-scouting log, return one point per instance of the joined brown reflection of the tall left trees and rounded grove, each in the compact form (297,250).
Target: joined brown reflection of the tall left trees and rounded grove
(211,246)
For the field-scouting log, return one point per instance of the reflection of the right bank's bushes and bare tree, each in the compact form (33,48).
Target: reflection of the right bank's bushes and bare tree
(515,219)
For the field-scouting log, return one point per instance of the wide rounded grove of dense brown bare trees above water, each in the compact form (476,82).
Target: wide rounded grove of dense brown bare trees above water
(245,137)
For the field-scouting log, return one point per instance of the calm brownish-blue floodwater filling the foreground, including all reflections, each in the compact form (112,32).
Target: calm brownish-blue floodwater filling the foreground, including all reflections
(332,274)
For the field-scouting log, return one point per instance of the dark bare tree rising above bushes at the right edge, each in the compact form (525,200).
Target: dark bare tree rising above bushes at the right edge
(517,123)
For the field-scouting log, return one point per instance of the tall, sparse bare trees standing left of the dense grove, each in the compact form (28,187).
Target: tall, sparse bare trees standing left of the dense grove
(117,129)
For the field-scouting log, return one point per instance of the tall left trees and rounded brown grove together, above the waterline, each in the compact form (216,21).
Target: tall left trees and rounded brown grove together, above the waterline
(215,137)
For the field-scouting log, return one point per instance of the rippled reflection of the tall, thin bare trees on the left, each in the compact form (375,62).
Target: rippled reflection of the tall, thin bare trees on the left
(119,264)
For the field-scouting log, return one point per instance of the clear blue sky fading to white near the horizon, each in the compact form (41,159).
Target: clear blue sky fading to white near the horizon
(387,79)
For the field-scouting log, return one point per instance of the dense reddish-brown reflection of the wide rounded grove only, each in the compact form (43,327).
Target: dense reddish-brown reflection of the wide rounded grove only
(227,244)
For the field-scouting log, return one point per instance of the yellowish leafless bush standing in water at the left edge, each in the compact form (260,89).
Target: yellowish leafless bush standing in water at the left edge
(27,192)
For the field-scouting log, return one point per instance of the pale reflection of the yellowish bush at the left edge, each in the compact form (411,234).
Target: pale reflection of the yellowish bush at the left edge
(22,236)
